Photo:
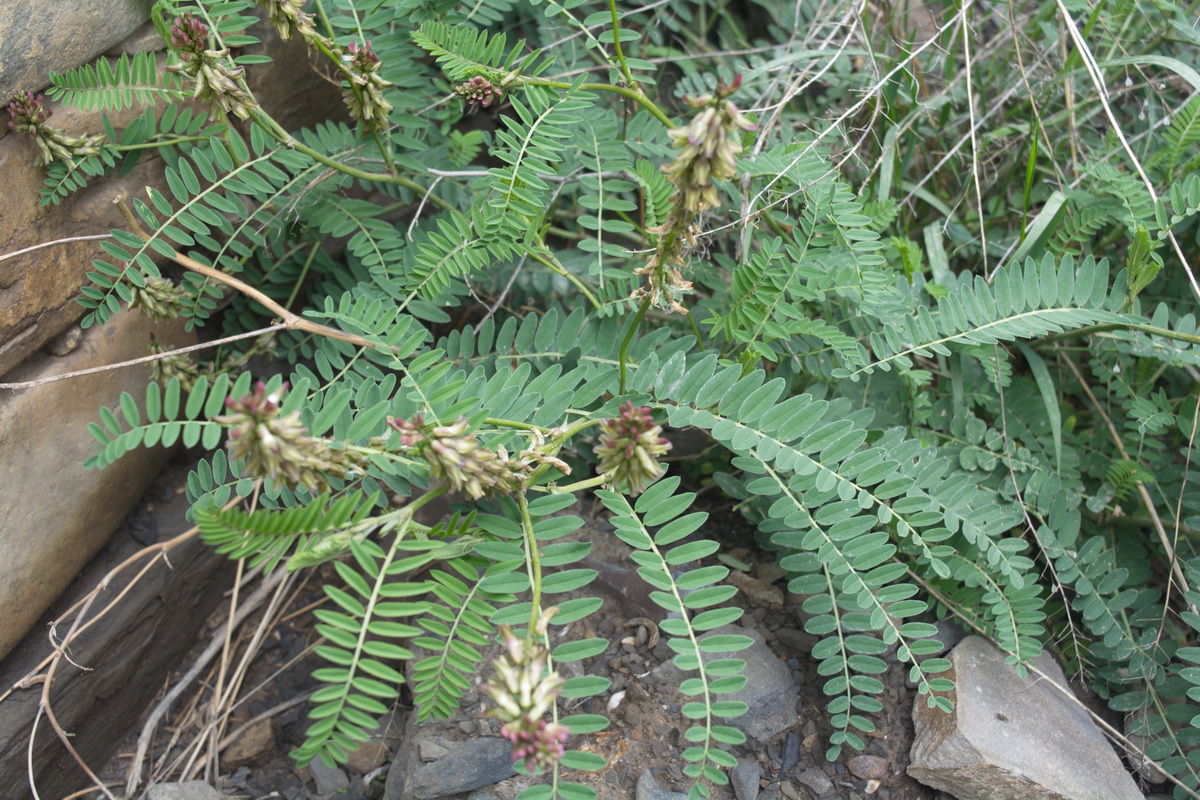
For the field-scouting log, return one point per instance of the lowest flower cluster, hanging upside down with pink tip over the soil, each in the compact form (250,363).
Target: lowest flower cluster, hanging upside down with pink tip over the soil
(524,695)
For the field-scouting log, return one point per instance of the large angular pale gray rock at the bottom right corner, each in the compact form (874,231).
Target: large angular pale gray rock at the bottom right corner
(1013,739)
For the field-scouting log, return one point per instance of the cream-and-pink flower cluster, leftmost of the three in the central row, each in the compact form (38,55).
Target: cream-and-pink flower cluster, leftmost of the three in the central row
(279,448)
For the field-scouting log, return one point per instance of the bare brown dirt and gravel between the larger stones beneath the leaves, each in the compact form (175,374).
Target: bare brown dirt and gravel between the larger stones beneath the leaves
(646,726)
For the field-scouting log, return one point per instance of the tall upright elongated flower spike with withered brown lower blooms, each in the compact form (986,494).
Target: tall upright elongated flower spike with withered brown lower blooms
(707,153)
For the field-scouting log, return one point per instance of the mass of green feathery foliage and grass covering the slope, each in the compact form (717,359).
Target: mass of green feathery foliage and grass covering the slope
(945,374)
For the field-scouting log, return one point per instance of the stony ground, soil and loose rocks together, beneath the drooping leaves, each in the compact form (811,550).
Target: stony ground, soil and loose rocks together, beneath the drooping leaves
(463,759)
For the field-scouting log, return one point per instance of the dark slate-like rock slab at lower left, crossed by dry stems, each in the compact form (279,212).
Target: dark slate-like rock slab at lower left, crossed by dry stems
(131,653)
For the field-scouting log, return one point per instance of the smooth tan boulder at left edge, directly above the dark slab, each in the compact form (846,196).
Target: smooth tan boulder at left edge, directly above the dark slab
(45,544)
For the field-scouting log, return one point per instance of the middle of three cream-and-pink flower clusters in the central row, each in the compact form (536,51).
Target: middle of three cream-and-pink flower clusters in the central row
(455,456)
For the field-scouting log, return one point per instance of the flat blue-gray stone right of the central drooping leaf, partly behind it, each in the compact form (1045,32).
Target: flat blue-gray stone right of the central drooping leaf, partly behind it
(771,693)
